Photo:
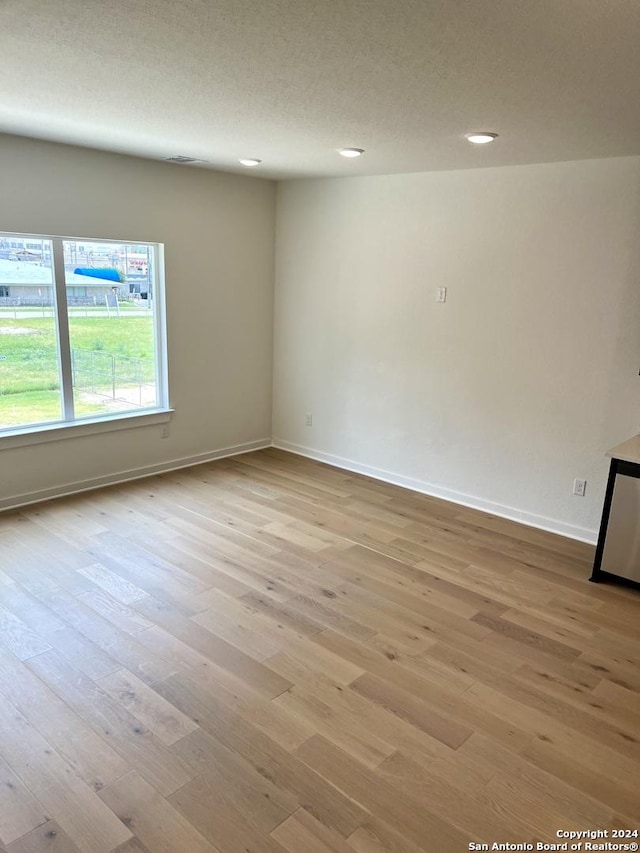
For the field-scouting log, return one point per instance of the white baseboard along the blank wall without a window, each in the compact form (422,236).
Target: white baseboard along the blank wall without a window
(582,534)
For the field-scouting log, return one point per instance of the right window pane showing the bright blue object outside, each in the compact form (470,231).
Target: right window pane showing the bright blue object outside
(110,300)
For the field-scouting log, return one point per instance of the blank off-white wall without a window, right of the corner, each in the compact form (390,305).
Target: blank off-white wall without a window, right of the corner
(510,390)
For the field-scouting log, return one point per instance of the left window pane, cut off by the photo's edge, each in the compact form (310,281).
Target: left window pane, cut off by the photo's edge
(29,373)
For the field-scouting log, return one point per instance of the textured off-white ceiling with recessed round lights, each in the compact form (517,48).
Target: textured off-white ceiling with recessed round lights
(290,81)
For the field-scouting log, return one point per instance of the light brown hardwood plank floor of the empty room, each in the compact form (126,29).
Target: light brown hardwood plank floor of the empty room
(269,654)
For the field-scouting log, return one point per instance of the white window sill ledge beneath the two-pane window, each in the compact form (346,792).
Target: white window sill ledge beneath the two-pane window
(25,437)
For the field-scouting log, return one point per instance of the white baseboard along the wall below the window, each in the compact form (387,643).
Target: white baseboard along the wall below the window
(16,501)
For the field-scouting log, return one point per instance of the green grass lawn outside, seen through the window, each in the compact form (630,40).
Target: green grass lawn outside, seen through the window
(29,381)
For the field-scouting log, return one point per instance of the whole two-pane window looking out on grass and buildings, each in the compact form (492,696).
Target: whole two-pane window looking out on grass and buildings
(77,342)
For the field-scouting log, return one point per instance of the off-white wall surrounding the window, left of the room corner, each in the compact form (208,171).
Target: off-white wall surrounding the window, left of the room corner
(218,232)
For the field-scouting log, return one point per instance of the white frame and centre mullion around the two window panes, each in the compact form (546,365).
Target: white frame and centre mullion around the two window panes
(70,426)
